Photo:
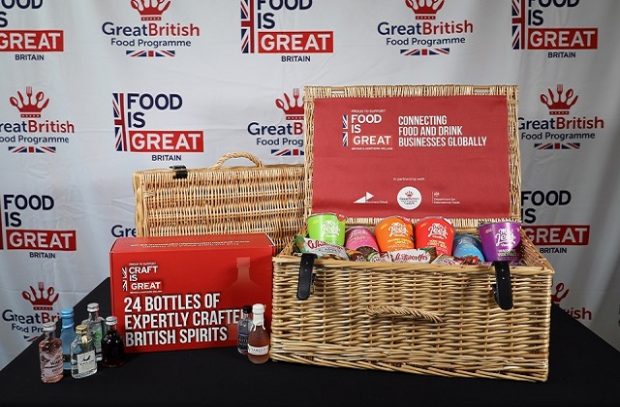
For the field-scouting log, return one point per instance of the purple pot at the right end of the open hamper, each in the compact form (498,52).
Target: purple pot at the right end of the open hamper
(501,241)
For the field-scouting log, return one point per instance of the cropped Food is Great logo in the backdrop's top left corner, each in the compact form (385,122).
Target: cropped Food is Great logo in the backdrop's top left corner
(27,44)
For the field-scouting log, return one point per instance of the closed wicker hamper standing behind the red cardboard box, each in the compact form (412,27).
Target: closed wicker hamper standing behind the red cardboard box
(219,199)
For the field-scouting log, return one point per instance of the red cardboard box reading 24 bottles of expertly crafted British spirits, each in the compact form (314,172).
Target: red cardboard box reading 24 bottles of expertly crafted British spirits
(186,292)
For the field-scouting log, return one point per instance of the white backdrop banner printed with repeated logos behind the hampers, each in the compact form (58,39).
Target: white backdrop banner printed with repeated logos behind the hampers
(92,91)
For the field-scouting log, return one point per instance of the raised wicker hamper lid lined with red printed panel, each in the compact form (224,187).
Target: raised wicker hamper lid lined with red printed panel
(413,151)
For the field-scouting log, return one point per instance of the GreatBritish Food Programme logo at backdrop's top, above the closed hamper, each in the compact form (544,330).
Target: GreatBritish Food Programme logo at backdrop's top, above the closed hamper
(154,36)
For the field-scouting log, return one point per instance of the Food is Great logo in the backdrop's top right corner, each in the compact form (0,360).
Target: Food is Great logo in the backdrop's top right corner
(536,25)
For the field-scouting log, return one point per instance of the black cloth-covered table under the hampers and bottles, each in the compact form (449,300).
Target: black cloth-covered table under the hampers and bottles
(584,370)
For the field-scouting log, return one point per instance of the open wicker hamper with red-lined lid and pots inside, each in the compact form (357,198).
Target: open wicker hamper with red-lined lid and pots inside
(454,317)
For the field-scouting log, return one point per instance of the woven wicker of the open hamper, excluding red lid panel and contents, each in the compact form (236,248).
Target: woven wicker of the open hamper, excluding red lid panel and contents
(416,318)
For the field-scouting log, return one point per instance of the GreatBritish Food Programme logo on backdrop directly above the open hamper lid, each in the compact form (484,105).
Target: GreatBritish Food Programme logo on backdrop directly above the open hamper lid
(426,32)
